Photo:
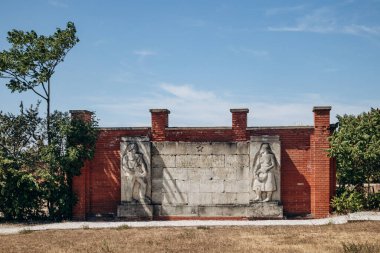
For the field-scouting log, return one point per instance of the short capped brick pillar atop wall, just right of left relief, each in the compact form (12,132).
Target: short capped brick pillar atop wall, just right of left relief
(160,121)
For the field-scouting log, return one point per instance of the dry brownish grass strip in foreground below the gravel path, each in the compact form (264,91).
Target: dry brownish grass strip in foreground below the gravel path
(328,238)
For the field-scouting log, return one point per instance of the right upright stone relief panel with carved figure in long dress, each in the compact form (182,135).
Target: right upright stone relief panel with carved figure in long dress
(265,154)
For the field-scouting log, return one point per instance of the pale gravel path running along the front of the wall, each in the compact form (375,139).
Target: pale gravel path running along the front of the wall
(360,216)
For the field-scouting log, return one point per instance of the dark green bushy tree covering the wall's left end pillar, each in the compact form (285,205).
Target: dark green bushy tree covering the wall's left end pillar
(72,143)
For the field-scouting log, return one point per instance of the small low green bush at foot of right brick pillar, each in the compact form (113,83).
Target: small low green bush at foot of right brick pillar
(348,202)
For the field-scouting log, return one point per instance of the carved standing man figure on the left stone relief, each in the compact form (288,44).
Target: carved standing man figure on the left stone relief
(135,171)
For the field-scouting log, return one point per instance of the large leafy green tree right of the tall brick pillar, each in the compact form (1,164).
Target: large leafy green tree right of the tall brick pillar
(355,145)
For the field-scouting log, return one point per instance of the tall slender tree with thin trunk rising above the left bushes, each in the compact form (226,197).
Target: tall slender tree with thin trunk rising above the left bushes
(31,61)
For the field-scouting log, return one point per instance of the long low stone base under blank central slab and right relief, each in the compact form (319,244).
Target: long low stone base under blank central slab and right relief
(264,210)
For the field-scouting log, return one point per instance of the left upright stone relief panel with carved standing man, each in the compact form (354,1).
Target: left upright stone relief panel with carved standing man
(135,170)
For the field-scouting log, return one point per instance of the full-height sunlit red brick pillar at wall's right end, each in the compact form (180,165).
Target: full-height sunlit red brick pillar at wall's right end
(322,177)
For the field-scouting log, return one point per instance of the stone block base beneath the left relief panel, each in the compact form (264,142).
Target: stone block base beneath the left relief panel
(135,211)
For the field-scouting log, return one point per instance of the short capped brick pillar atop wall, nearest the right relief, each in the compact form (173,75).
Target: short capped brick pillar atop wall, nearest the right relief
(239,124)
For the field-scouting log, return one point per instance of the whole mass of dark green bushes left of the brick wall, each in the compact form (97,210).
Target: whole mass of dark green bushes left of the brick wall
(35,175)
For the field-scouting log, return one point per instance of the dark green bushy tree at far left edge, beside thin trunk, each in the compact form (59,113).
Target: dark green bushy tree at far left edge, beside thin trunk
(21,196)
